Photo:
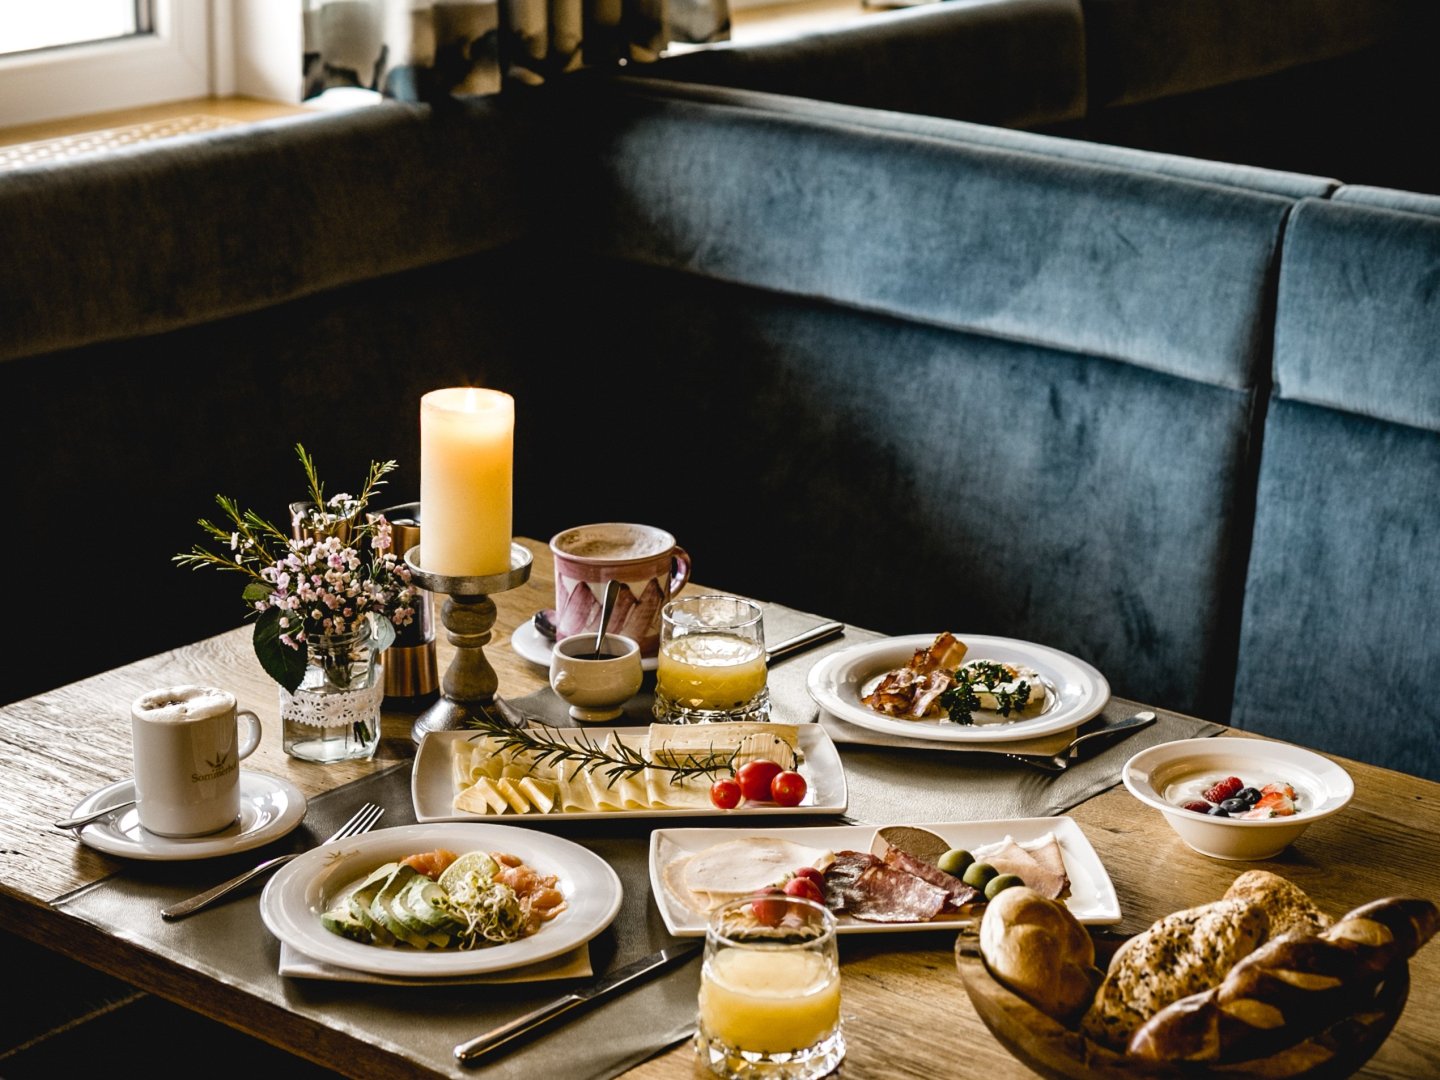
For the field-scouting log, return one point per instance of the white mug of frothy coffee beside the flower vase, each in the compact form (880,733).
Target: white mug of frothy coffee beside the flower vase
(188,745)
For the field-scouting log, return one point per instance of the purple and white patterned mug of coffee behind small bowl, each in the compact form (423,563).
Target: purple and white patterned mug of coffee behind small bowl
(647,562)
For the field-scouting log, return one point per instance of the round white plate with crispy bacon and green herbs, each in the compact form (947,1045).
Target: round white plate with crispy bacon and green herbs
(1076,690)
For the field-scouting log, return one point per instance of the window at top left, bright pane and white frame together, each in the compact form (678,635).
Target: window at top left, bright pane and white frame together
(80,57)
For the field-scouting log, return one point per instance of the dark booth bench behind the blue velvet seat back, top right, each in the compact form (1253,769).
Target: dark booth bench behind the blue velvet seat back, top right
(1344,89)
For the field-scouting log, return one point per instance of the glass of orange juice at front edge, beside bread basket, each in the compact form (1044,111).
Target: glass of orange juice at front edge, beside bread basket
(770,991)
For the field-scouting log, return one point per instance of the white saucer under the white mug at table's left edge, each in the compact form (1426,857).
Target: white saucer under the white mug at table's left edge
(270,809)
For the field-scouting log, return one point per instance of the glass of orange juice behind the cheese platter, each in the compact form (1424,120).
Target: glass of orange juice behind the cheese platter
(712,662)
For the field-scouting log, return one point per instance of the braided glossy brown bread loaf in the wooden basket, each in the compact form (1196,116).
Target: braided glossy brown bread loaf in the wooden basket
(1290,989)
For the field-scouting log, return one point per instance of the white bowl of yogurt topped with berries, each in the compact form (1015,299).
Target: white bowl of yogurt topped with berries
(1157,777)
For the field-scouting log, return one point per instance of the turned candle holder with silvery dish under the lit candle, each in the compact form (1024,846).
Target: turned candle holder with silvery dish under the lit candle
(469,685)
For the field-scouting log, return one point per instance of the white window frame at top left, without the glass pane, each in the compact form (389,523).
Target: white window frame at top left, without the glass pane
(171,64)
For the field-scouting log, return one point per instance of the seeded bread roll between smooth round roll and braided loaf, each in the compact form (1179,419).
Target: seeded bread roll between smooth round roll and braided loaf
(1183,954)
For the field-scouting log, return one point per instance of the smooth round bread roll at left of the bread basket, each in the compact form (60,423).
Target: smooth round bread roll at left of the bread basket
(1038,948)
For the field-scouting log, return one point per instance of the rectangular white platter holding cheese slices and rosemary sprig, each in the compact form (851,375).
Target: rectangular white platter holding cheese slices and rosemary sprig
(433,783)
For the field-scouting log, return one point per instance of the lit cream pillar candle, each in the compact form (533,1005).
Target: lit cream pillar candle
(467,472)
